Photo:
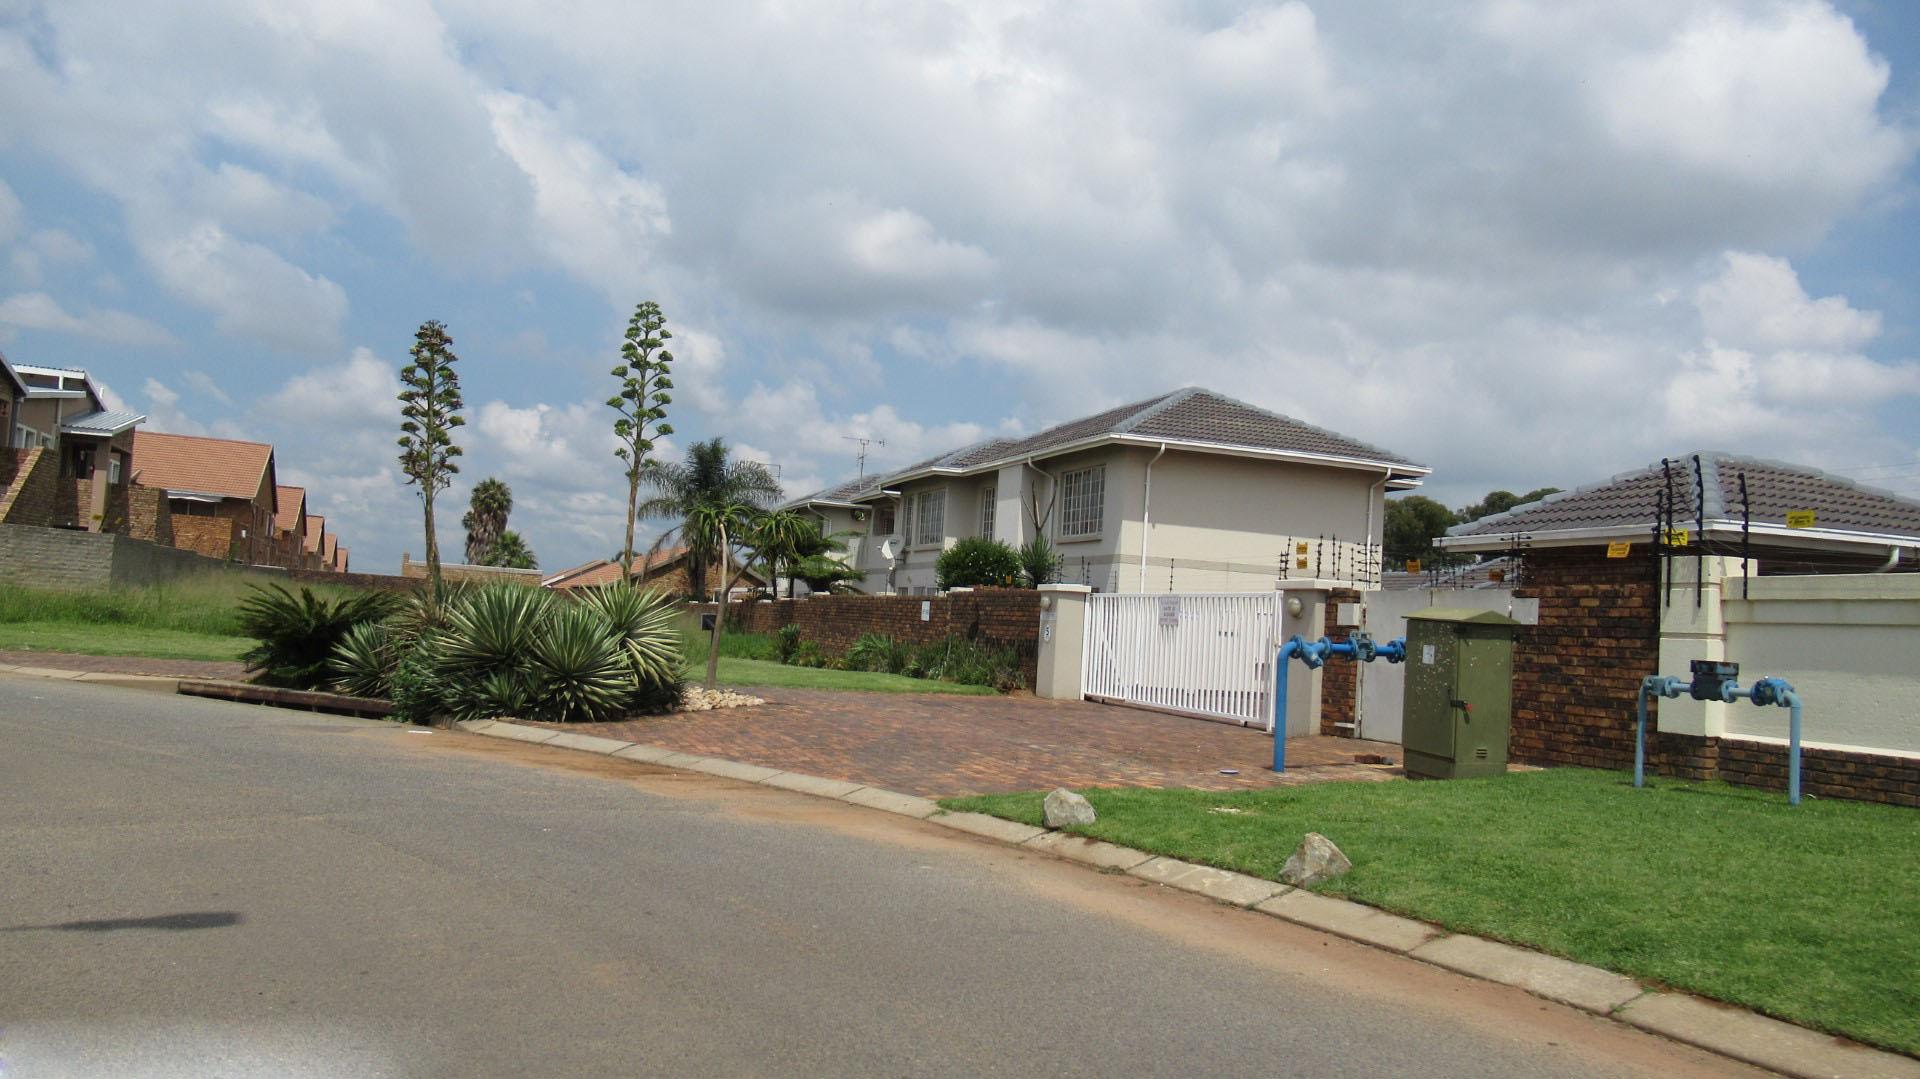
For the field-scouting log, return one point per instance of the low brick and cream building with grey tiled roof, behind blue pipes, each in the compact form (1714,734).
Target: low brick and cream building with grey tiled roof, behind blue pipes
(1777,567)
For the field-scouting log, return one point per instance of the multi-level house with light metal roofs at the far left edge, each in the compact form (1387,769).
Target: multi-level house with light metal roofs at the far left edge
(68,458)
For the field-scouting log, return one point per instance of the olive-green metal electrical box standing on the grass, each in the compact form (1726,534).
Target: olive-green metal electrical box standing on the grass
(1460,694)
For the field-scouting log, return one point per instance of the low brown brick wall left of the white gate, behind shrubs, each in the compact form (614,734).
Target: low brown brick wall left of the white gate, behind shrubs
(999,615)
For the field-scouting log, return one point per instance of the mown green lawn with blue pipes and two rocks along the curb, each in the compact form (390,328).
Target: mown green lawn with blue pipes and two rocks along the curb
(1812,915)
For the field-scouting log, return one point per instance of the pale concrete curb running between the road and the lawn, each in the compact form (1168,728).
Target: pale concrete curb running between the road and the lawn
(1706,1024)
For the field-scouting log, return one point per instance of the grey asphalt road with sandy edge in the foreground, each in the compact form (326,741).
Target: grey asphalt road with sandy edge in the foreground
(195,888)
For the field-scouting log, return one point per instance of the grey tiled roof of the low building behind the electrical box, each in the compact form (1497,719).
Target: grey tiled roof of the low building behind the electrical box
(1631,500)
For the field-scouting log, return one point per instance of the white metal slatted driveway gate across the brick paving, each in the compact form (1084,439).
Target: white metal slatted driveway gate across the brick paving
(1195,654)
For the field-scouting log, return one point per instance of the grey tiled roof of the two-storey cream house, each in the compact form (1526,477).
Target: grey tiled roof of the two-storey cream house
(1184,416)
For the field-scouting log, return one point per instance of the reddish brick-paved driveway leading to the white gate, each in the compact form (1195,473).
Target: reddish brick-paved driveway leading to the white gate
(972,746)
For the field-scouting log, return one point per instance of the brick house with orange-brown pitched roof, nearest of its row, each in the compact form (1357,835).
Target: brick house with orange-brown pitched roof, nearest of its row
(222,492)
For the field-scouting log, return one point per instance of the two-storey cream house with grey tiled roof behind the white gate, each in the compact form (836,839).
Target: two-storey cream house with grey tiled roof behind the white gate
(1184,492)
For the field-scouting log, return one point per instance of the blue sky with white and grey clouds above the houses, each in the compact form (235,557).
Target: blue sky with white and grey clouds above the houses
(1524,243)
